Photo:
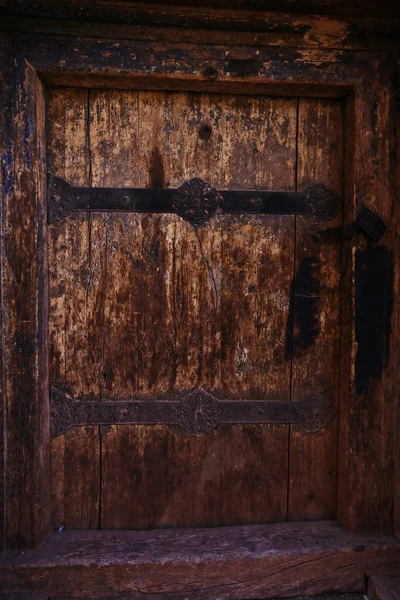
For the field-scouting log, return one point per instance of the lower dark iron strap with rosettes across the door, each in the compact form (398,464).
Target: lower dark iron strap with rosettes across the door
(196,412)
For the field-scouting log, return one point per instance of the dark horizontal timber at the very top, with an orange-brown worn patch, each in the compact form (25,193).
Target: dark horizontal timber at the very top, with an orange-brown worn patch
(201,23)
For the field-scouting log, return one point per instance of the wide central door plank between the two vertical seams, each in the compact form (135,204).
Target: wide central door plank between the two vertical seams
(228,281)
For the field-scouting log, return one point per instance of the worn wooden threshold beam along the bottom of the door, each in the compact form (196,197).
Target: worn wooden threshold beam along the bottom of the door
(255,561)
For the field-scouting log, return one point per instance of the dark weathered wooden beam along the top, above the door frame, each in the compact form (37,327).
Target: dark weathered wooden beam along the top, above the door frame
(273,30)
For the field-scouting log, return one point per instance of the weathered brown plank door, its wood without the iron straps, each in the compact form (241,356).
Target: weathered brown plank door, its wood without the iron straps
(145,306)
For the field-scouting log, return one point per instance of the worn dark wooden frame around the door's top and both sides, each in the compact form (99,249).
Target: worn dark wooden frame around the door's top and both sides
(368,496)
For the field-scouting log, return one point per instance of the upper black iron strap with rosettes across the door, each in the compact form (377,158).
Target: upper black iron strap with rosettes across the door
(195,201)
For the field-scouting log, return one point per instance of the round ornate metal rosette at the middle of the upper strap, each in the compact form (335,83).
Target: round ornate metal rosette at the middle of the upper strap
(196,201)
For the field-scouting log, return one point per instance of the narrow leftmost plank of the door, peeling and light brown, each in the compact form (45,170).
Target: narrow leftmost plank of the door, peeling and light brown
(74,313)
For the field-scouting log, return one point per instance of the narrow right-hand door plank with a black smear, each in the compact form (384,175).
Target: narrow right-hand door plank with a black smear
(316,312)
